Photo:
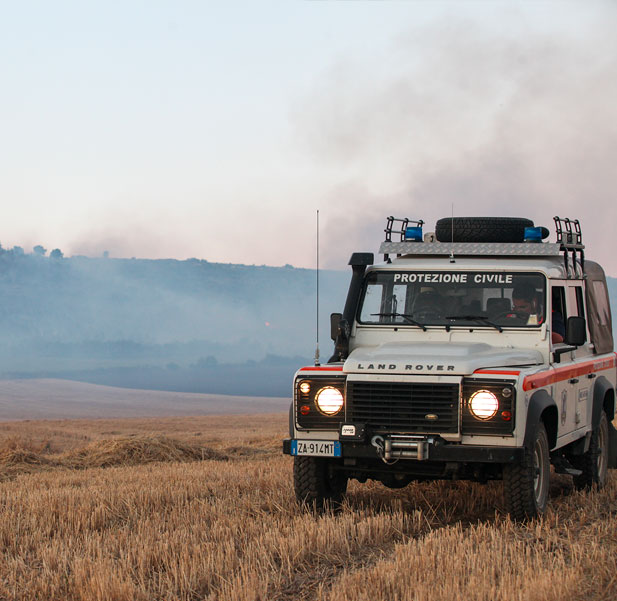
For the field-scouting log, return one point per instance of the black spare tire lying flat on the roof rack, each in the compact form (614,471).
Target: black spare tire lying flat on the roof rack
(482,229)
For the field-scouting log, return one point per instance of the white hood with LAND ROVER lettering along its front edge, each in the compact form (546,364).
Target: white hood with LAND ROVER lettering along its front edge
(442,358)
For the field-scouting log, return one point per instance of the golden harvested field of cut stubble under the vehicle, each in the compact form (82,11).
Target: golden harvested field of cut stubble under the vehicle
(202,508)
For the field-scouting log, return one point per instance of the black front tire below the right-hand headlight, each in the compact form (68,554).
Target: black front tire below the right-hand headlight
(526,484)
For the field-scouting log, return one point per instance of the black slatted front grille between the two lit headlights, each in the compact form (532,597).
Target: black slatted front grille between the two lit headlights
(404,407)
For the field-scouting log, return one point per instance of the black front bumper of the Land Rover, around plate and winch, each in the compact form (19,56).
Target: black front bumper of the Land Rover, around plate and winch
(436,450)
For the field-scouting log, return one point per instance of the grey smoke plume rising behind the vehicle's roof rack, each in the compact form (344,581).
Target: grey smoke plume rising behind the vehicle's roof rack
(519,120)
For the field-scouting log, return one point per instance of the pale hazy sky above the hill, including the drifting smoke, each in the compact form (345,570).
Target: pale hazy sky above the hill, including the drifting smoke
(216,129)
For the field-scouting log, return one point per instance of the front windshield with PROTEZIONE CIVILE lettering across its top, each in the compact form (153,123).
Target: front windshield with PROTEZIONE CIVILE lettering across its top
(453,298)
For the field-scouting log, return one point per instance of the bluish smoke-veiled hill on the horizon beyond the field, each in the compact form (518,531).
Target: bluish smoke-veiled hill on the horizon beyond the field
(190,326)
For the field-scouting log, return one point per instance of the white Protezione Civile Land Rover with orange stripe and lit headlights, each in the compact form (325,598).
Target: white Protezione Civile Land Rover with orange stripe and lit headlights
(476,352)
